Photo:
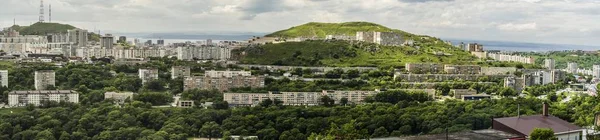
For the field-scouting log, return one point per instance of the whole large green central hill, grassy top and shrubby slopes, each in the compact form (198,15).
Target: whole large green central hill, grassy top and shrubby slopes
(345,53)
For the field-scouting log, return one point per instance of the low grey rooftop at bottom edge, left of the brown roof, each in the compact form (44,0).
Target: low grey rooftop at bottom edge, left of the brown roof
(486,134)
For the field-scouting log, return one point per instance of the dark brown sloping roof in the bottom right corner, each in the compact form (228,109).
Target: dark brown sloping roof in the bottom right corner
(526,124)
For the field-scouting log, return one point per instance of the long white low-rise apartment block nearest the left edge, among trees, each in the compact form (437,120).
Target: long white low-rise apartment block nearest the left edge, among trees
(36,97)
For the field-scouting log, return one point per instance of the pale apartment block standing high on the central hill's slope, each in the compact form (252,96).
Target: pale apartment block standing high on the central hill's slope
(381,38)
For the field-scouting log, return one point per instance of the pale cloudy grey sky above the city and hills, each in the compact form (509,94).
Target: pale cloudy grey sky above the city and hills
(540,21)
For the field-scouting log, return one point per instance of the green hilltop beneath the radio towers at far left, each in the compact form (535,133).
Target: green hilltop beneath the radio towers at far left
(42,28)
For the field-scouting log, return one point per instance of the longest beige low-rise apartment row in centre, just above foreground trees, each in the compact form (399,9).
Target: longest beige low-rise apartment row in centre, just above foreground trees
(296,98)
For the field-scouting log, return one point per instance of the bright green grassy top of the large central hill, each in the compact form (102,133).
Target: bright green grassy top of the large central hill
(316,29)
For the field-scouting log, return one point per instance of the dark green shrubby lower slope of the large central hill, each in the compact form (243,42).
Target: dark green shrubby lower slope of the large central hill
(343,53)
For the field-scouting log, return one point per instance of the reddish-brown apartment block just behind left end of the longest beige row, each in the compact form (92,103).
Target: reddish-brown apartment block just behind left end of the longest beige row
(223,83)
